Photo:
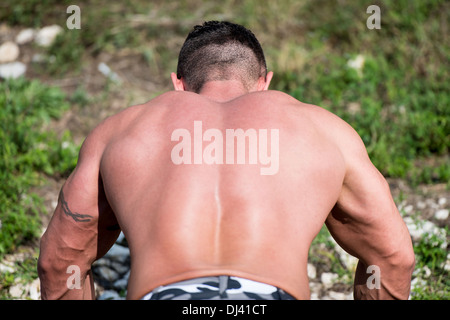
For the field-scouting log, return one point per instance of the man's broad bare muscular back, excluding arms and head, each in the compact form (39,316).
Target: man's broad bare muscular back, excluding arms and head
(192,204)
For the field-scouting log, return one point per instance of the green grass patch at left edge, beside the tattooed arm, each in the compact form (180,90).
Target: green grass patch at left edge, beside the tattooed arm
(27,154)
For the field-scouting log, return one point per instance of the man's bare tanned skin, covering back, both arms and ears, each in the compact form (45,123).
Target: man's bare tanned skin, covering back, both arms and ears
(193,220)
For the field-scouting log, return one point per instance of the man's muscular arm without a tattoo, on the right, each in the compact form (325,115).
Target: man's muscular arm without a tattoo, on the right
(366,223)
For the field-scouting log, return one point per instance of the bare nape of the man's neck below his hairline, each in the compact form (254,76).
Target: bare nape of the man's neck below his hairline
(222,91)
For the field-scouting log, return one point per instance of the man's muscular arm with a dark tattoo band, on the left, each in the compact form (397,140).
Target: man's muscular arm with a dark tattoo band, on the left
(82,229)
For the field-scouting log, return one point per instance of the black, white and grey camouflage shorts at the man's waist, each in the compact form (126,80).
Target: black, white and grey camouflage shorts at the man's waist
(218,288)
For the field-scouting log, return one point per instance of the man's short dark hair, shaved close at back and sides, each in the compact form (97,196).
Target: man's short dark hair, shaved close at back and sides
(218,51)
